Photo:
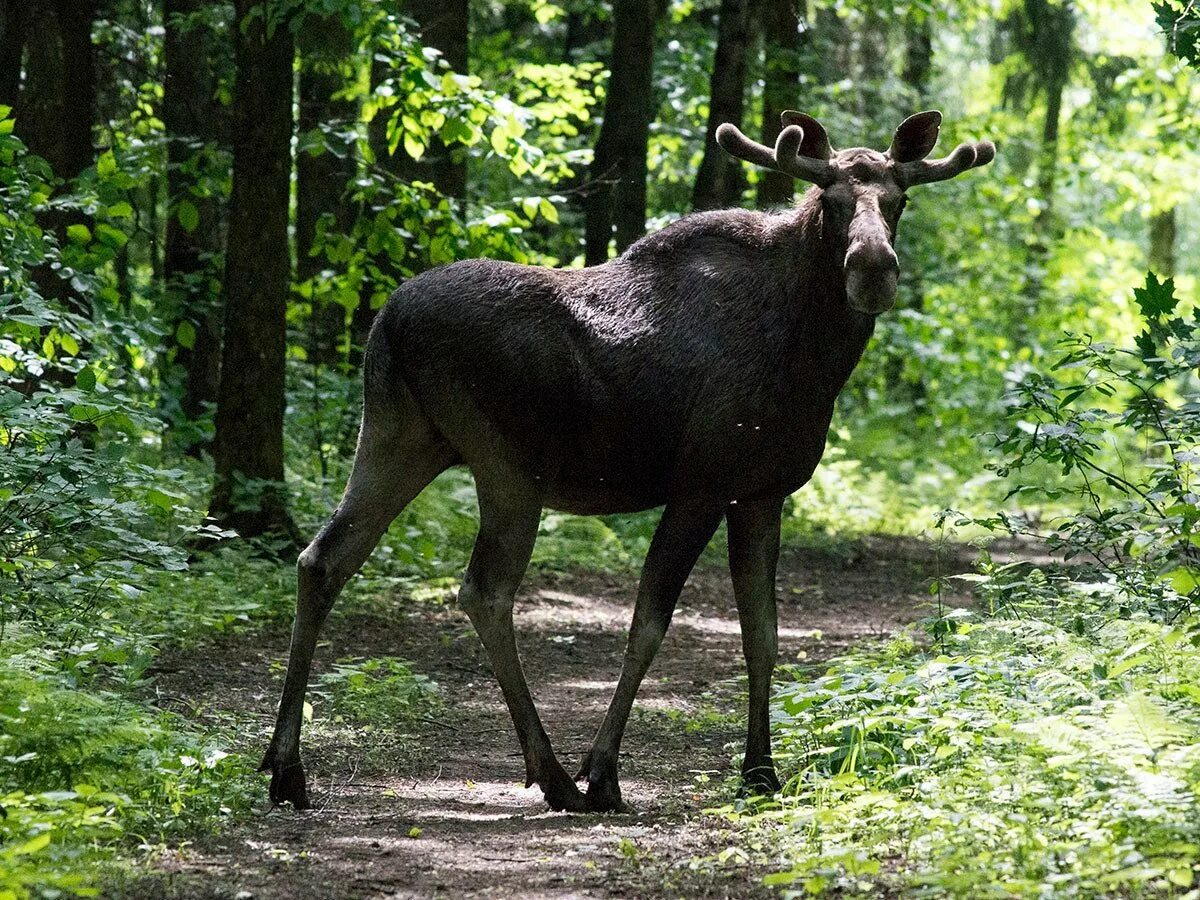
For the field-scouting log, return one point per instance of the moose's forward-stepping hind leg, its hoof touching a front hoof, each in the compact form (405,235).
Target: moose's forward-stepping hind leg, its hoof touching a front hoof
(509,513)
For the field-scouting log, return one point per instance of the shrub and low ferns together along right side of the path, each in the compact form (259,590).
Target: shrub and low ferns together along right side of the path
(1048,747)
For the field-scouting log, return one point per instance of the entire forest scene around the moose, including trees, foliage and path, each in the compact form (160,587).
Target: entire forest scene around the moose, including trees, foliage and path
(989,680)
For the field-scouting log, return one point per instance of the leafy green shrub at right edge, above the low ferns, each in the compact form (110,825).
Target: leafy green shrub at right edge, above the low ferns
(1123,427)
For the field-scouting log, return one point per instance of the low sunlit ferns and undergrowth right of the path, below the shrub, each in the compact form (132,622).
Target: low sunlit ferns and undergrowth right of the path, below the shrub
(1016,758)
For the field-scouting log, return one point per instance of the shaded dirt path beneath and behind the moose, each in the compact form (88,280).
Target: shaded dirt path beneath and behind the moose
(449,817)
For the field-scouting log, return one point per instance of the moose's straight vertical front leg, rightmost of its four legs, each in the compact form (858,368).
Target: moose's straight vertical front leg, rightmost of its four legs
(754,554)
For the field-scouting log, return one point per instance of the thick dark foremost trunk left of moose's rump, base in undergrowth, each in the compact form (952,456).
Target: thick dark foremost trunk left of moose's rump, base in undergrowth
(249,494)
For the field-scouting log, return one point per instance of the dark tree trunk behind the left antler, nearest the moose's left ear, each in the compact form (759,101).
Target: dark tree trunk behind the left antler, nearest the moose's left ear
(785,51)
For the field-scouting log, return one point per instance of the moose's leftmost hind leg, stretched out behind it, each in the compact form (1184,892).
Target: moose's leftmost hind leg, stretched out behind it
(392,466)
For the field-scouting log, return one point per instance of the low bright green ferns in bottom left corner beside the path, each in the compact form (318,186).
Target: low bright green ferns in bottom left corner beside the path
(85,773)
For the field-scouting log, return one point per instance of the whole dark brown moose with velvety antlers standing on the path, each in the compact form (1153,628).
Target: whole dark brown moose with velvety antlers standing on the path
(697,373)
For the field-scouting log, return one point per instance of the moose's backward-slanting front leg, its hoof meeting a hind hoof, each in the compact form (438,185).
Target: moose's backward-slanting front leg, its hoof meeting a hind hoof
(683,532)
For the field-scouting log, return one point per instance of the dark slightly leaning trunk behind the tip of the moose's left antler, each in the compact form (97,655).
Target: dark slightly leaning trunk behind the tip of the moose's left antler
(722,178)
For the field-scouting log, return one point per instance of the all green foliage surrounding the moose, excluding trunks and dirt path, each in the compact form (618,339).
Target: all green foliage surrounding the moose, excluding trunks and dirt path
(1072,703)
